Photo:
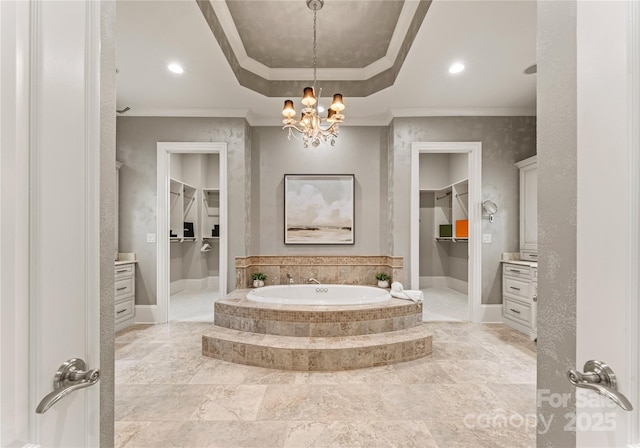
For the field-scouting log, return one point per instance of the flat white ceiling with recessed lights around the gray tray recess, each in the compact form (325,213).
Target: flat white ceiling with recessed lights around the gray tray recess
(494,39)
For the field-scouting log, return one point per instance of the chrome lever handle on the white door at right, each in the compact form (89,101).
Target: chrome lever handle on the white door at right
(600,378)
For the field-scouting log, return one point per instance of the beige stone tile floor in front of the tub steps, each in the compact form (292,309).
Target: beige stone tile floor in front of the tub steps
(476,390)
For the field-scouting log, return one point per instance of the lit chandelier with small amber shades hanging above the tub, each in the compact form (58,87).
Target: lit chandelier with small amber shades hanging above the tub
(311,126)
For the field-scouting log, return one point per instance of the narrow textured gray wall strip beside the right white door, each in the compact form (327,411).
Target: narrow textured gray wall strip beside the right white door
(557,185)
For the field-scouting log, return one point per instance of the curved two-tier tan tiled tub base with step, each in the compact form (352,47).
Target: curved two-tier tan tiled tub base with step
(316,338)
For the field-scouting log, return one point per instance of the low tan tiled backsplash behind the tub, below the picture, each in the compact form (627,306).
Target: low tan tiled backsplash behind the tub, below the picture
(340,270)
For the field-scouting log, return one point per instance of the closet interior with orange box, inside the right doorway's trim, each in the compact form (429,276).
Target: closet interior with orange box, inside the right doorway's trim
(444,235)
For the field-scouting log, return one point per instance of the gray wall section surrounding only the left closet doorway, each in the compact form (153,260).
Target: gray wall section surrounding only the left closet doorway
(137,139)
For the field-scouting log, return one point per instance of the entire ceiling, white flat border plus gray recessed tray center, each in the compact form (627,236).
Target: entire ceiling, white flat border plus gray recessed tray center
(270,50)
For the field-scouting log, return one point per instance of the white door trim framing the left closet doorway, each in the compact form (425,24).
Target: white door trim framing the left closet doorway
(164,149)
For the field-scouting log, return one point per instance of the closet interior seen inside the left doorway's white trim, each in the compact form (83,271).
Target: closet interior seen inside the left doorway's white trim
(194,223)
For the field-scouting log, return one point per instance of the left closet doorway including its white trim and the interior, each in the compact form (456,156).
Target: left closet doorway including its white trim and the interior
(192,216)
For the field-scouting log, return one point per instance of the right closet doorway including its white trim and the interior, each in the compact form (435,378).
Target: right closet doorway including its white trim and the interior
(448,227)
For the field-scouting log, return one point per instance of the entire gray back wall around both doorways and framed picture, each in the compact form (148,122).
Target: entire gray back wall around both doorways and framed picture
(378,156)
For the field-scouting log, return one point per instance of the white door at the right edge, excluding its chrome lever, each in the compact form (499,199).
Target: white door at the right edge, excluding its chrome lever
(607,218)
